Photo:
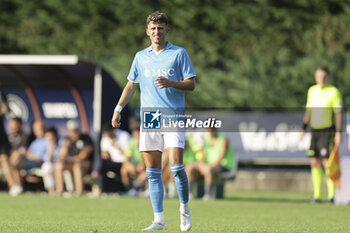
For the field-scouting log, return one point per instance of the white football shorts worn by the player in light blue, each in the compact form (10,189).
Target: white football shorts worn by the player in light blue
(158,141)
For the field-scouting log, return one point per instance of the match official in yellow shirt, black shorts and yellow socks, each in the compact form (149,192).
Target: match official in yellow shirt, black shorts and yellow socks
(323,112)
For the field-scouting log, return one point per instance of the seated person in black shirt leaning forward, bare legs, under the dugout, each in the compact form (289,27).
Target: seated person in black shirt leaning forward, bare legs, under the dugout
(75,156)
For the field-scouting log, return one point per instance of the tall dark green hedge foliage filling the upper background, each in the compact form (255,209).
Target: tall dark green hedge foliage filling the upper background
(247,54)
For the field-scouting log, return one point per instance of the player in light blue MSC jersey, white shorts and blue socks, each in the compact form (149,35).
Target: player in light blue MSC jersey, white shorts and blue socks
(164,72)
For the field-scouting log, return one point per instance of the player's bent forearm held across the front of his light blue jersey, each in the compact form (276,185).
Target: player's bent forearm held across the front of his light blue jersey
(187,85)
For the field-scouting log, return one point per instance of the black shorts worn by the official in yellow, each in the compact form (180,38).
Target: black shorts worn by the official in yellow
(321,142)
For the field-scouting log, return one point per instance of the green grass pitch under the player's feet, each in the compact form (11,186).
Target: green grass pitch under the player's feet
(241,211)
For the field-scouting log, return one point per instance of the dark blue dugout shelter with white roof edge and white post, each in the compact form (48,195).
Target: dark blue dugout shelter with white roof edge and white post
(58,88)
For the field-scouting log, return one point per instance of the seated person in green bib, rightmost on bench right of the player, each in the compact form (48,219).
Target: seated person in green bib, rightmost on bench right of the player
(217,158)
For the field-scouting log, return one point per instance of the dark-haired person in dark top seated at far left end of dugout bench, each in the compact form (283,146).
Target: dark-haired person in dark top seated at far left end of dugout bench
(18,141)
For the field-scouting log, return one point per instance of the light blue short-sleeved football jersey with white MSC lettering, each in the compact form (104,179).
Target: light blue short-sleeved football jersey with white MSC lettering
(172,63)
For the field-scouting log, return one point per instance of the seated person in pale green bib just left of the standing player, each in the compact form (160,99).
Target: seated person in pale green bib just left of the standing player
(133,170)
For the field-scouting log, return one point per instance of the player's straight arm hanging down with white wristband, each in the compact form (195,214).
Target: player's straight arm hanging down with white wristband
(127,93)
